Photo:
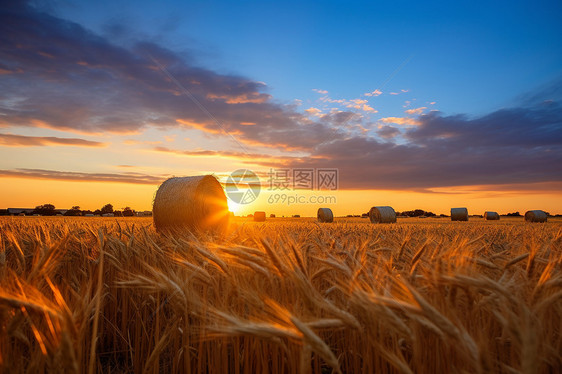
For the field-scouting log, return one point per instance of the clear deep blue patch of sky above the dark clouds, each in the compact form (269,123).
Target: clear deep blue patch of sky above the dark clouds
(468,57)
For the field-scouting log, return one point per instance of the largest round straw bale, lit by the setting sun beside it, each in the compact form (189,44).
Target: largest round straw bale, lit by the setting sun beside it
(190,203)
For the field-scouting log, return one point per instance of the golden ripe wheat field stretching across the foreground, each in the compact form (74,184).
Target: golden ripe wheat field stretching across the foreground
(106,295)
